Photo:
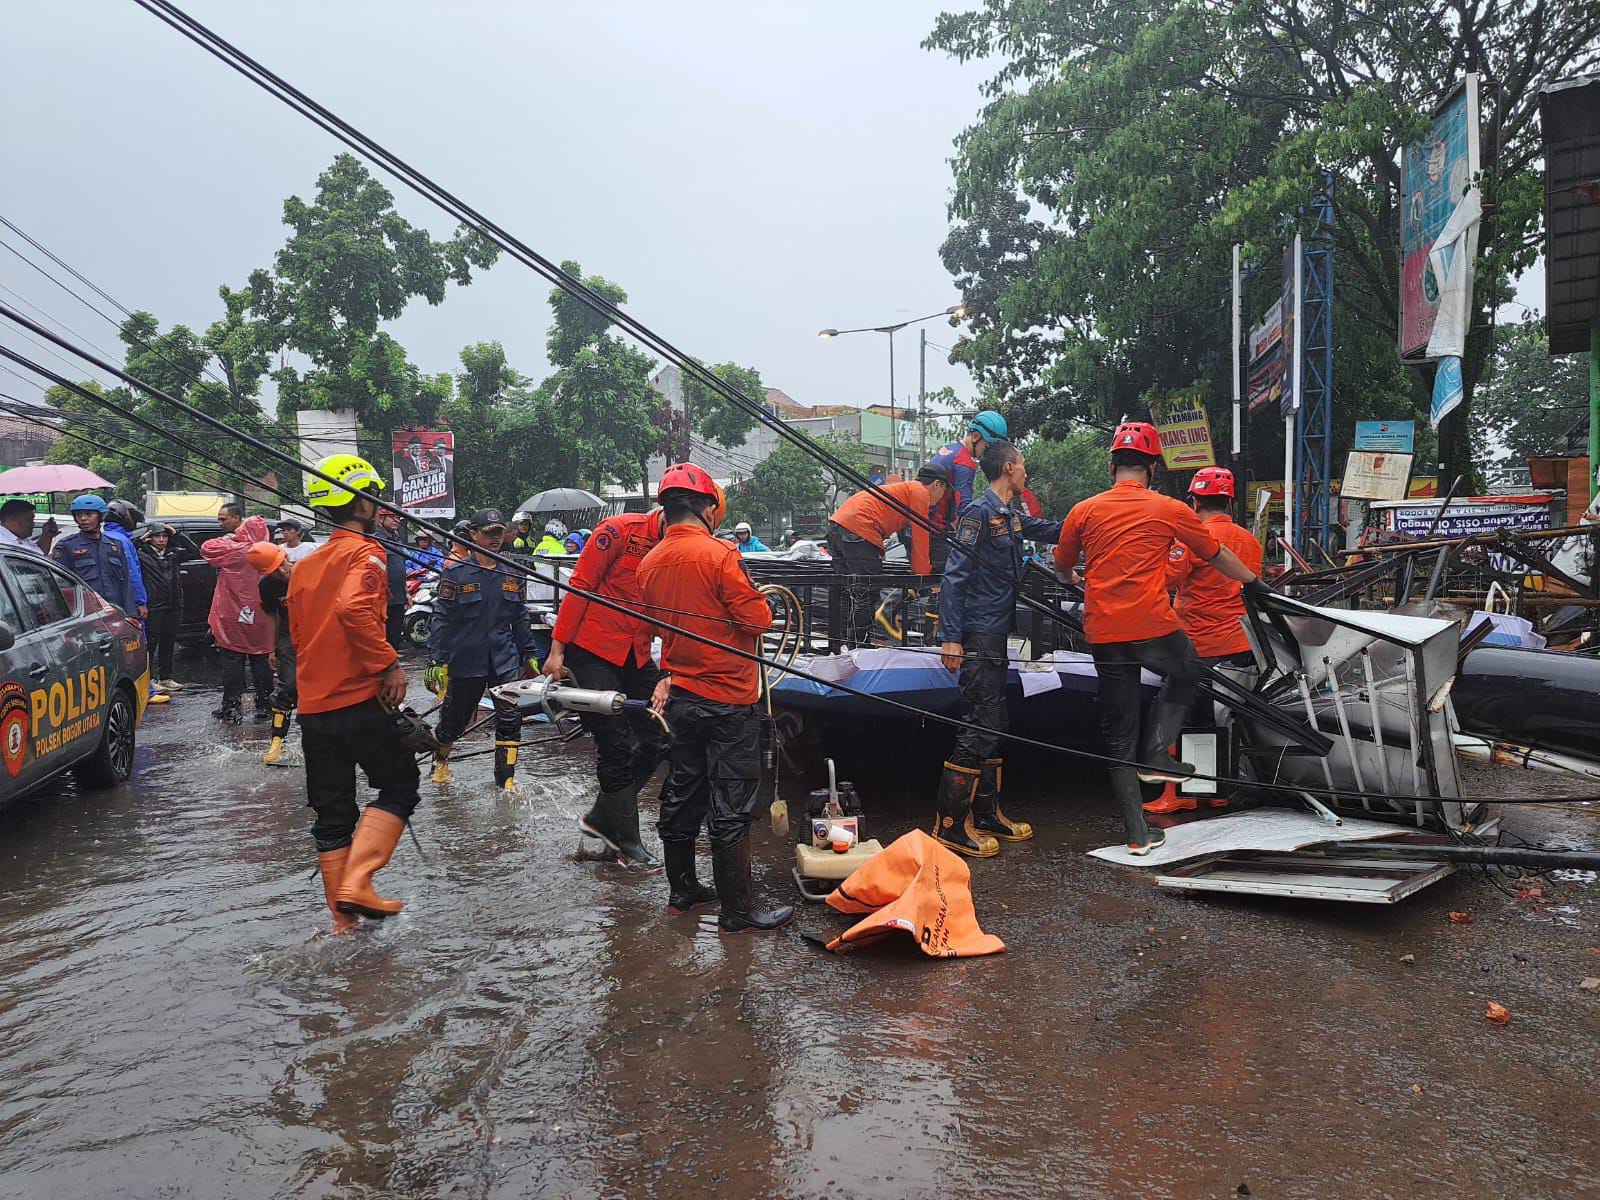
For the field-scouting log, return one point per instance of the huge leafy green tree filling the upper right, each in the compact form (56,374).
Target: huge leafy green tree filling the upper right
(1126,148)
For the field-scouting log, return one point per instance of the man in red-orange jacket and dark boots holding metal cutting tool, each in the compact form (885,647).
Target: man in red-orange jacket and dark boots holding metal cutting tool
(610,652)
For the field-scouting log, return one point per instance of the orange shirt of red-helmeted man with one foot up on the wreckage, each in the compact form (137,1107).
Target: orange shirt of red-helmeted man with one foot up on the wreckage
(1126,537)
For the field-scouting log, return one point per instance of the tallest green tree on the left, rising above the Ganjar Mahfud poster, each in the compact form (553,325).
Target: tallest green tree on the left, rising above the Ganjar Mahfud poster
(350,265)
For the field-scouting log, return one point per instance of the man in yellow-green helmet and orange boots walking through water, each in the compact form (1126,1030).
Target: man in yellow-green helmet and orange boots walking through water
(350,684)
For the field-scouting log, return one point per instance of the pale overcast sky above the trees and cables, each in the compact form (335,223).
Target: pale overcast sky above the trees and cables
(748,172)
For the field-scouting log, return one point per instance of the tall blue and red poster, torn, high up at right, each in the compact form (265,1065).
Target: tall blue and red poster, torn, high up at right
(1434,177)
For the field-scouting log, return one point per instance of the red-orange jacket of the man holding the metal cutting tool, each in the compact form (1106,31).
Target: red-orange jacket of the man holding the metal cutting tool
(609,566)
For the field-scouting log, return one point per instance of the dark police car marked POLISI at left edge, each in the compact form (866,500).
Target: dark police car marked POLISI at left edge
(74,679)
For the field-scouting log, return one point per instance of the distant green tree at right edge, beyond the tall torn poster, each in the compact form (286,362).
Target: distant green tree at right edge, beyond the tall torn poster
(1529,401)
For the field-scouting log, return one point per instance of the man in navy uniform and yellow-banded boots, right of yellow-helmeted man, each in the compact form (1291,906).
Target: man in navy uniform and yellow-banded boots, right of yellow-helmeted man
(479,638)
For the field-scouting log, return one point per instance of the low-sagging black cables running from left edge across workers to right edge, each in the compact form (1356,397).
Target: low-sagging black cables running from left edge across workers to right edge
(606,602)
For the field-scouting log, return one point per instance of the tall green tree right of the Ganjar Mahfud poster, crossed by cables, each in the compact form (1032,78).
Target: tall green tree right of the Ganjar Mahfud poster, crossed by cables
(596,409)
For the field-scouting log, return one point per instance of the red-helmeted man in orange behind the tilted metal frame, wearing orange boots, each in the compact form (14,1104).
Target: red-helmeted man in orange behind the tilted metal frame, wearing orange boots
(1210,607)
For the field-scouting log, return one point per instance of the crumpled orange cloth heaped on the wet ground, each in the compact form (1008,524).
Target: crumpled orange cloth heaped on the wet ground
(918,887)
